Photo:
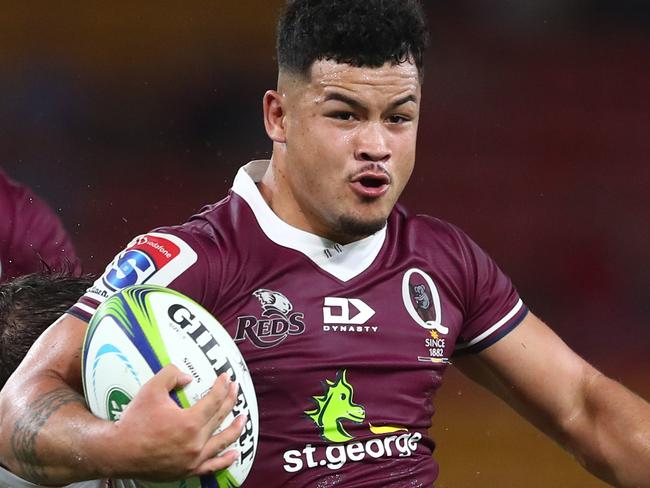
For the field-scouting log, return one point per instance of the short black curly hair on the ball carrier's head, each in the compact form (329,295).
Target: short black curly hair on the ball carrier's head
(356,32)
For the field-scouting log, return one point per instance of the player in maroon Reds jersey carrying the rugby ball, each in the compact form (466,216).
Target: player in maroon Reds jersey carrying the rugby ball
(347,308)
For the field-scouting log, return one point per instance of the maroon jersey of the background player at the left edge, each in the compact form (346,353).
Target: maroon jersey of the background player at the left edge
(31,234)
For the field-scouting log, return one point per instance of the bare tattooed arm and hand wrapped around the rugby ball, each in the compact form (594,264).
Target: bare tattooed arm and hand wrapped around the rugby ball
(48,436)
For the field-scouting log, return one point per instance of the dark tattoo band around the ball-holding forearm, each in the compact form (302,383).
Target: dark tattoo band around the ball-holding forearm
(26,430)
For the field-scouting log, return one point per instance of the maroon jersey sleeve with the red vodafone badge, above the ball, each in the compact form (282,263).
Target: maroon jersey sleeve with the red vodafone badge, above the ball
(166,257)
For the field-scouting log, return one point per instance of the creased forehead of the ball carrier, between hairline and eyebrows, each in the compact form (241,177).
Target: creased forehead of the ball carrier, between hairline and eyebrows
(327,75)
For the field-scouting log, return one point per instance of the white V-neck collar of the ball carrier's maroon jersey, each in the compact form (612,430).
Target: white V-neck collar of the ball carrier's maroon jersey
(342,261)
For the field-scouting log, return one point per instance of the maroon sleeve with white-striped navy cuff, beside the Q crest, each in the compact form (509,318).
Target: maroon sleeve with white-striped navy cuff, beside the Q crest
(493,307)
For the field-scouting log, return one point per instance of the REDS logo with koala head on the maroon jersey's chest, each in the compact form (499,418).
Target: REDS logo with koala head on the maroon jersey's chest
(277,322)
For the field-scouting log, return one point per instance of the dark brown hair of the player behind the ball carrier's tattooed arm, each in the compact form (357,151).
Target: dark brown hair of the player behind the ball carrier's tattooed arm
(28,305)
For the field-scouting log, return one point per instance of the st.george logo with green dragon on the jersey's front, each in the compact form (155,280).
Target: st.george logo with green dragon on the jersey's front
(335,406)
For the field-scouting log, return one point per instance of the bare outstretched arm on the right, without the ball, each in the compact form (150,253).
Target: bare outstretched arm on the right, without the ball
(604,425)
